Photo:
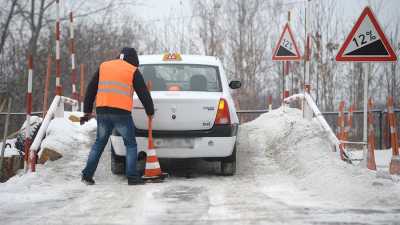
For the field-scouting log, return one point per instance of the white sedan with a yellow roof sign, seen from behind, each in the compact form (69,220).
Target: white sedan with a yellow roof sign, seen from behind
(195,115)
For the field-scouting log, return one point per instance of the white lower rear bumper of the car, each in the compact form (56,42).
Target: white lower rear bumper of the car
(203,147)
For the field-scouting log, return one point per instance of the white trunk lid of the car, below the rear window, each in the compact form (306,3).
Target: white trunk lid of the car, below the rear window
(179,110)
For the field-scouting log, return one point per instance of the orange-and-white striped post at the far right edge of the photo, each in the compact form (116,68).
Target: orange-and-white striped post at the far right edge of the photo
(395,162)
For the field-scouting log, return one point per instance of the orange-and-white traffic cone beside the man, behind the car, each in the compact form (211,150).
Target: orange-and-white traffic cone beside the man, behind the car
(152,170)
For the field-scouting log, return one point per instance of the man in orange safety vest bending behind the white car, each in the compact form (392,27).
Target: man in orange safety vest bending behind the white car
(112,87)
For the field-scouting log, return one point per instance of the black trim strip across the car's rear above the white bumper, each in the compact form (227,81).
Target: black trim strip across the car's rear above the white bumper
(229,130)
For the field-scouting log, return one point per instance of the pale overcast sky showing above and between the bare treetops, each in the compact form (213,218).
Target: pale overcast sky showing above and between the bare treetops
(155,12)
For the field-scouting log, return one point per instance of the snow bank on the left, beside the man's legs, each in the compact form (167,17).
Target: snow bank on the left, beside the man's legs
(49,181)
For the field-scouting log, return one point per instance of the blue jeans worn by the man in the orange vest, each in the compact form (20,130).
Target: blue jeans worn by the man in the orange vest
(124,126)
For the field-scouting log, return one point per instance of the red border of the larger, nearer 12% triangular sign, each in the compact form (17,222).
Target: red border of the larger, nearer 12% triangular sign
(391,57)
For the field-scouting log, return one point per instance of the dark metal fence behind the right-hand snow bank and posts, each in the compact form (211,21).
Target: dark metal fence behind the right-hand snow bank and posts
(382,132)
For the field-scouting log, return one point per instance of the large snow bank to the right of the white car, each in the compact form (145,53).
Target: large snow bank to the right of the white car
(301,150)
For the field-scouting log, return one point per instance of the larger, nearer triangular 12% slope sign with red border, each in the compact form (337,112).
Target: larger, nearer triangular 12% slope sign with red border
(366,42)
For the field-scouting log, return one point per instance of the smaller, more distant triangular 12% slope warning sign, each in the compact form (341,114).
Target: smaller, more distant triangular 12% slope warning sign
(286,49)
